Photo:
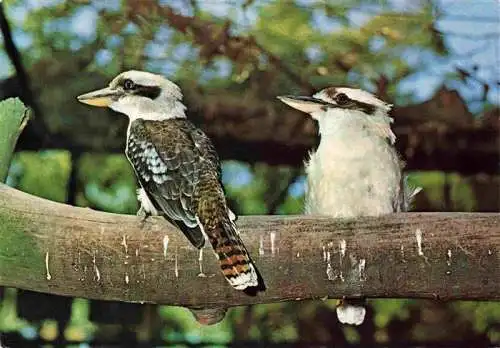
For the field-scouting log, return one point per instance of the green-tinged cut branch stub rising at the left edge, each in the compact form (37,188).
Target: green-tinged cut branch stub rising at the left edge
(13,118)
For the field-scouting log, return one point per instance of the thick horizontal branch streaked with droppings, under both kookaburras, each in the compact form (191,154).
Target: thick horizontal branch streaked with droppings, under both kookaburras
(55,248)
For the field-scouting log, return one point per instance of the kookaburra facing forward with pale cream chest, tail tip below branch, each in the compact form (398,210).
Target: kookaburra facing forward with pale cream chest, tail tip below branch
(356,170)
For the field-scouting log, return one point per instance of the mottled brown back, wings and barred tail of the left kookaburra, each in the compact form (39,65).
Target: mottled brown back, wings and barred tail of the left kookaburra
(179,169)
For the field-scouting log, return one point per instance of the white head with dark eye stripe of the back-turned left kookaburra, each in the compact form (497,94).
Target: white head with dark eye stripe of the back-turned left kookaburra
(139,94)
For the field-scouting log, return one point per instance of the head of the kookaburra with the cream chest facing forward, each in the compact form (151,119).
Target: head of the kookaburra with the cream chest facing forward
(341,108)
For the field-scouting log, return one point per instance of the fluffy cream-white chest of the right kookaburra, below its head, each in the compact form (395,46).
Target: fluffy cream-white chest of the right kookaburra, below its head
(352,177)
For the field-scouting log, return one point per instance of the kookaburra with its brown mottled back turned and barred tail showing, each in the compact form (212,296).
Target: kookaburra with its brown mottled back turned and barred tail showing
(177,168)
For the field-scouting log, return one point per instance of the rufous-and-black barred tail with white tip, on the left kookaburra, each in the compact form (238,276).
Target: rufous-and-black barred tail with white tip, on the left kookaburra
(235,262)
